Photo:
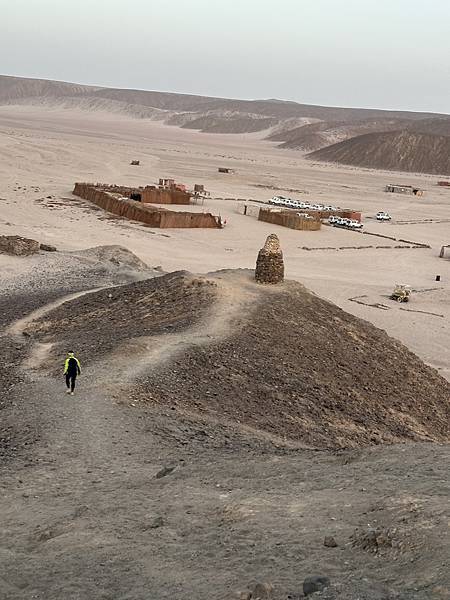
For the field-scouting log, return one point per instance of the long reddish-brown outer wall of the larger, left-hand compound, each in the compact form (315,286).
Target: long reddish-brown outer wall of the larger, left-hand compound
(143,212)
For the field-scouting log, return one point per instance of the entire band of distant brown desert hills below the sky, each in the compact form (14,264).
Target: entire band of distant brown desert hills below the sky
(383,139)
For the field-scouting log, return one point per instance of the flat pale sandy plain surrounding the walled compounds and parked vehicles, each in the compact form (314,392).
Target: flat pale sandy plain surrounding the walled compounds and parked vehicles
(44,151)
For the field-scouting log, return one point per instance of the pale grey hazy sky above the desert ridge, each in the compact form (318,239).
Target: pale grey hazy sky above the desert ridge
(366,53)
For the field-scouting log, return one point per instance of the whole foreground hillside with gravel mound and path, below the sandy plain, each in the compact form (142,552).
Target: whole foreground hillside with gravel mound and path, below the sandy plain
(179,469)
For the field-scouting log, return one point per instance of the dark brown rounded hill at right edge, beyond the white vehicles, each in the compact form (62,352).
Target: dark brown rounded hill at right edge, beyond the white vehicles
(396,151)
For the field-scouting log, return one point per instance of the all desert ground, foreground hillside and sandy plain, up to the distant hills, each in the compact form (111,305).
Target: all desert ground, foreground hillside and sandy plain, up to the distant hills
(152,482)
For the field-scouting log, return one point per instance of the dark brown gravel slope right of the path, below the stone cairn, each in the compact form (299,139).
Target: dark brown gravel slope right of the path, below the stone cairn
(301,369)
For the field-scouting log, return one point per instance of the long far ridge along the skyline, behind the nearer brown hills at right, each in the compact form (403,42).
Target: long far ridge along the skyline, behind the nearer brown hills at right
(213,114)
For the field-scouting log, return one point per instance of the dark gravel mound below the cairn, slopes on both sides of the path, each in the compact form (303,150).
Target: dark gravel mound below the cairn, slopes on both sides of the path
(289,364)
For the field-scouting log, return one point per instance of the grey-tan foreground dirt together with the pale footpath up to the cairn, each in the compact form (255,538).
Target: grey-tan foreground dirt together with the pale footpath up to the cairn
(120,502)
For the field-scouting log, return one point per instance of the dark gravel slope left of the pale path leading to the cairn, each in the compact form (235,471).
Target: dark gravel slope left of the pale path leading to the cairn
(97,323)
